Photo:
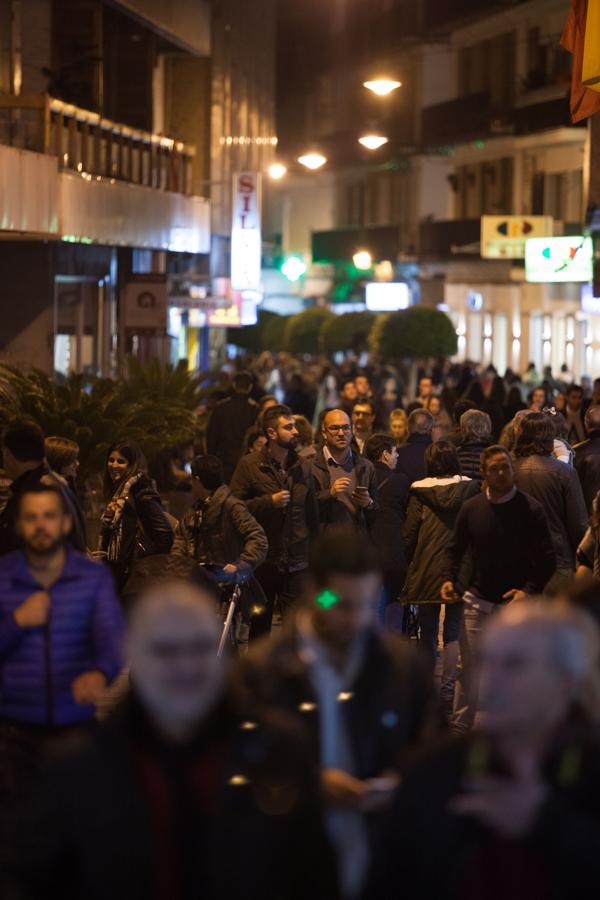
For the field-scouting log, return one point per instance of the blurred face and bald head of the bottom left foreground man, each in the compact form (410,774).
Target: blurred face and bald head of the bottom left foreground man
(173,643)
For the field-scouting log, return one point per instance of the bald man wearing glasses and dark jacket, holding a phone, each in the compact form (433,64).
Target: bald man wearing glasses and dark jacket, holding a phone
(345,482)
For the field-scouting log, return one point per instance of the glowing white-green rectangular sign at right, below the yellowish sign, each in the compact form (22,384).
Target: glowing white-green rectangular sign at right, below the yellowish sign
(559,259)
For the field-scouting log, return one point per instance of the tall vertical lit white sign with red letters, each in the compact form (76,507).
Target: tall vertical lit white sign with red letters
(246,245)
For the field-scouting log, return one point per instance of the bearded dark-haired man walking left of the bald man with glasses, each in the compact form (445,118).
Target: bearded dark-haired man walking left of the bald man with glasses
(277,488)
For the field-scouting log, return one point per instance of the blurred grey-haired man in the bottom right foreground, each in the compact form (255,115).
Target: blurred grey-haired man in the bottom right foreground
(512,811)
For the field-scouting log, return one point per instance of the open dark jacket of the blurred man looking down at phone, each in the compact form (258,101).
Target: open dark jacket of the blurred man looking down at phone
(391,703)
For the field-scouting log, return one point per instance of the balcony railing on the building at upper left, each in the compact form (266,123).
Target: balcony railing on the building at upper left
(86,142)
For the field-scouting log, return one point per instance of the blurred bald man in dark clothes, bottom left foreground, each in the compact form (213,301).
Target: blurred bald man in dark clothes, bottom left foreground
(180,795)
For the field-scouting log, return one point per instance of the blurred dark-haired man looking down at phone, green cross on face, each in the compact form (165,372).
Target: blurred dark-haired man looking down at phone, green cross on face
(362,695)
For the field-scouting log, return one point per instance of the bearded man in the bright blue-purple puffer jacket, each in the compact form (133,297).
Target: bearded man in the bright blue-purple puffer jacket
(61,629)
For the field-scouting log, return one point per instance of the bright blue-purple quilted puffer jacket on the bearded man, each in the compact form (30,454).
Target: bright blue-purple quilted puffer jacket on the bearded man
(85,633)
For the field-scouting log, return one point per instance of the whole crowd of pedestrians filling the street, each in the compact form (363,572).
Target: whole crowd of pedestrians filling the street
(404,696)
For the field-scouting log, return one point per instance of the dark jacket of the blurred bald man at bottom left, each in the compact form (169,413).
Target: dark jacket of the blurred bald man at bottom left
(233,815)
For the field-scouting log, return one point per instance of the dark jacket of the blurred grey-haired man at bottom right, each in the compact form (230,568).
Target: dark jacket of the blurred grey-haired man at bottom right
(559,858)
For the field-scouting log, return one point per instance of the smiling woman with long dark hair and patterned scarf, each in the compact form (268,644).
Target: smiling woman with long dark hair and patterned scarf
(133,523)
